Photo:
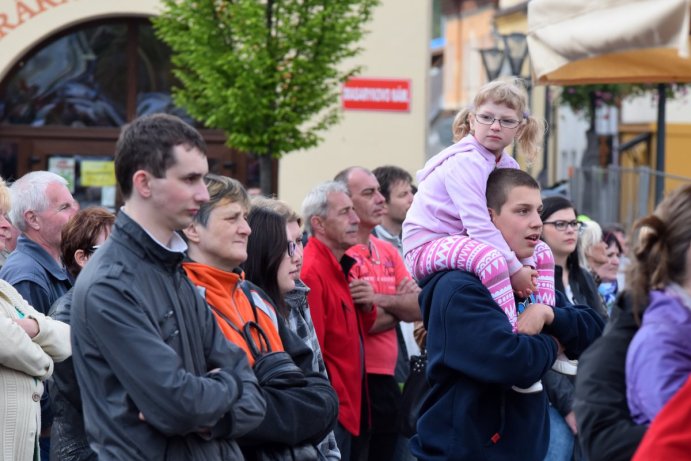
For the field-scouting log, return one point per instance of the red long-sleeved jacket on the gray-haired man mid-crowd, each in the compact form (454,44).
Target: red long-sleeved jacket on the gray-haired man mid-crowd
(339,326)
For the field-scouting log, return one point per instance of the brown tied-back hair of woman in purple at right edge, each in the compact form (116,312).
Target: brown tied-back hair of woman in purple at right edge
(661,242)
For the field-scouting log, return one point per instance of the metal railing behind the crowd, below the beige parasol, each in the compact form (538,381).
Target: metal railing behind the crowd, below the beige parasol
(619,195)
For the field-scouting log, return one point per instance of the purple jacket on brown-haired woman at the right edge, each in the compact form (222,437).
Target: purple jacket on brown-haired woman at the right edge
(658,361)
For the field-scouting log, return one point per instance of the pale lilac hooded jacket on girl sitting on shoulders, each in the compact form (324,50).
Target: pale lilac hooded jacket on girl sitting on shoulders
(451,199)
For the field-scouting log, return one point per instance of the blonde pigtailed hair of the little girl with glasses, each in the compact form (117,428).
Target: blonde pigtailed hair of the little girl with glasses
(510,91)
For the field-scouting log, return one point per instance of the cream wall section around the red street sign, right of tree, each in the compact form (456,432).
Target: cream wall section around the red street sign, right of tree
(397,48)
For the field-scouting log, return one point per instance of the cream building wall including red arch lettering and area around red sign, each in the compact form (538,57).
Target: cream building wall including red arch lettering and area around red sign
(396,48)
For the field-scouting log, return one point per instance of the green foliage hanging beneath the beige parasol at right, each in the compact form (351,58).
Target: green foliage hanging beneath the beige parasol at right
(587,97)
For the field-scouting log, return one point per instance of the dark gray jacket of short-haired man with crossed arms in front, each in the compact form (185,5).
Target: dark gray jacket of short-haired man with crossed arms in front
(144,344)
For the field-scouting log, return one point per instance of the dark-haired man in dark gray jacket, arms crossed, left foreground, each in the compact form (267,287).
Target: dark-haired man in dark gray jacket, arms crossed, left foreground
(158,380)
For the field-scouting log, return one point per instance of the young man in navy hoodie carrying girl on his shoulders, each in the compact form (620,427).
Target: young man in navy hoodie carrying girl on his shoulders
(471,412)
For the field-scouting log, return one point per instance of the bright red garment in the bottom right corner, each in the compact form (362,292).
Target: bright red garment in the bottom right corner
(668,437)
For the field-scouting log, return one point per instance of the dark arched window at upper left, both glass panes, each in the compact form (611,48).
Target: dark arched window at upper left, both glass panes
(80,79)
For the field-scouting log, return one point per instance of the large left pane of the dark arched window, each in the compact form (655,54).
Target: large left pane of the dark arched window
(76,80)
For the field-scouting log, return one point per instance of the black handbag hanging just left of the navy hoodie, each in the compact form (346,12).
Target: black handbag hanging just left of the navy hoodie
(415,390)
